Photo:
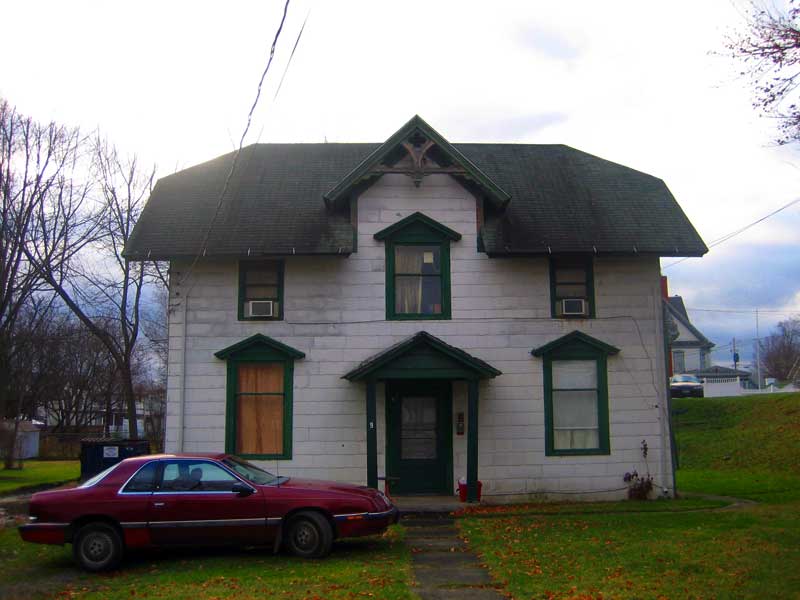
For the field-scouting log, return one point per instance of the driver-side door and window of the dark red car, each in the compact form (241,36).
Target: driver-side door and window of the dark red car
(194,503)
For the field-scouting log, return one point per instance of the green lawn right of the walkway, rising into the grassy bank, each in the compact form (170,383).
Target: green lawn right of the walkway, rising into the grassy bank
(747,447)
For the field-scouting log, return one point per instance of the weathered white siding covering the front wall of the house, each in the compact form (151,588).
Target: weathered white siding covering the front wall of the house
(335,311)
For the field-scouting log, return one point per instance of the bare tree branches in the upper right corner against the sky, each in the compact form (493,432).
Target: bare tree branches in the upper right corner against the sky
(769,48)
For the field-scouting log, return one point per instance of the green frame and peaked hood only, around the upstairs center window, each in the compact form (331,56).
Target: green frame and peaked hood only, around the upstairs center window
(418,230)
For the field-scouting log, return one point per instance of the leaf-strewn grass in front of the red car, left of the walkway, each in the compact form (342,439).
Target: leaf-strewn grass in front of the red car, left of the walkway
(376,567)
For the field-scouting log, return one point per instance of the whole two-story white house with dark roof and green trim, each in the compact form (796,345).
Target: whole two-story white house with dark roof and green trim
(420,310)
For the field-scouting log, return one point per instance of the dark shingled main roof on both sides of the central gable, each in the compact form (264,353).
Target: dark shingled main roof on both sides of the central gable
(562,200)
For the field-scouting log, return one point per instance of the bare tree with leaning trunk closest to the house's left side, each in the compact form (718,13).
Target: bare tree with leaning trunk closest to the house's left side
(100,286)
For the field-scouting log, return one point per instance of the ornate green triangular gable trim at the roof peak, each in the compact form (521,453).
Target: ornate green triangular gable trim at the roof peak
(416,139)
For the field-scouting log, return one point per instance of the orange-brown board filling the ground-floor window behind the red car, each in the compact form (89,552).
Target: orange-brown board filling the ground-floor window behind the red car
(259,408)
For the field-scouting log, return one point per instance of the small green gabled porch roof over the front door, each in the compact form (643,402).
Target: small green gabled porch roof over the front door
(422,356)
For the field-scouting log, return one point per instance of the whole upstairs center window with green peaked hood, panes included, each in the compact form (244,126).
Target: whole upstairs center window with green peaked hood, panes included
(417,268)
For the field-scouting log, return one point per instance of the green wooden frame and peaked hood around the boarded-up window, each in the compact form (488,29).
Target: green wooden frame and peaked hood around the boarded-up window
(253,350)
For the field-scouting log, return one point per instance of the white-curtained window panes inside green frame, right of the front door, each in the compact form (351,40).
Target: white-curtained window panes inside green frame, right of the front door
(575,406)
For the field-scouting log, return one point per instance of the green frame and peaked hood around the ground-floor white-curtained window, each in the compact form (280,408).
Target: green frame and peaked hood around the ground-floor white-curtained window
(577,346)
